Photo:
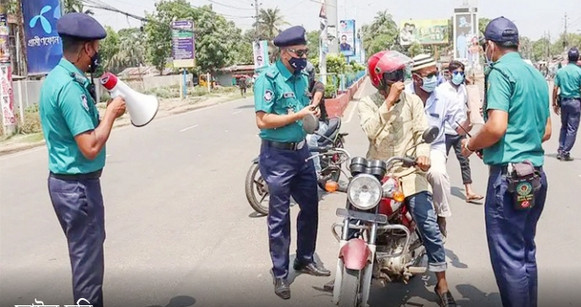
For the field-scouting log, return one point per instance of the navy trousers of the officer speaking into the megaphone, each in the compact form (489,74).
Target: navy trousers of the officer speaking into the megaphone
(78,205)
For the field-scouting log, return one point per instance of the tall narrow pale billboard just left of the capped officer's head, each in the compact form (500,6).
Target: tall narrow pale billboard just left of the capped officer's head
(465,33)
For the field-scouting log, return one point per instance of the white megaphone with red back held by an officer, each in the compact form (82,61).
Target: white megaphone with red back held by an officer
(142,108)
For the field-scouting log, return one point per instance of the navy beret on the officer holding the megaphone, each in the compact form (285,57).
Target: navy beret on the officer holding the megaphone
(81,26)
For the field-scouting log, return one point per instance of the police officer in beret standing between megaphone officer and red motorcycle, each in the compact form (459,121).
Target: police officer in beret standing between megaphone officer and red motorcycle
(281,102)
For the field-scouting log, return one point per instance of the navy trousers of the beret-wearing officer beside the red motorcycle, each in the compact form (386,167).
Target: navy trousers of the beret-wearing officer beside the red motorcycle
(286,173)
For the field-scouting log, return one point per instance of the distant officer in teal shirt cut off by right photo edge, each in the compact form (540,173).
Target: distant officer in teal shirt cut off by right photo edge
(567,103)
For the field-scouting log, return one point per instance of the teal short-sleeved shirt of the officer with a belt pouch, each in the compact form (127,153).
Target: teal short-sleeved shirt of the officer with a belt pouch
(520,90)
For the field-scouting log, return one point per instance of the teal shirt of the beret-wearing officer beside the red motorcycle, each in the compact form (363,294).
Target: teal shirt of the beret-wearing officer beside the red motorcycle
(278,91)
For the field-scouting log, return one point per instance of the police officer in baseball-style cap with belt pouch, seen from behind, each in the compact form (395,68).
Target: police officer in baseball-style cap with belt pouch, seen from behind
(517,122)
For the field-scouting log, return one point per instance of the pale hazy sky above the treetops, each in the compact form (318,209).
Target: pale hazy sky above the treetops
(533,18)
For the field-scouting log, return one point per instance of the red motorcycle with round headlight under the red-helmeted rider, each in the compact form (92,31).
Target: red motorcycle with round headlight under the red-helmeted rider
(378,239)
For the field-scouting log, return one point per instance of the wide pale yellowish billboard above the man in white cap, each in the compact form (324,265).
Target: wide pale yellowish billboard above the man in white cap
(424,31)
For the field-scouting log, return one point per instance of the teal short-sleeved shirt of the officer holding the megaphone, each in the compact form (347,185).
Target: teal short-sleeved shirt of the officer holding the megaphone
(67,110)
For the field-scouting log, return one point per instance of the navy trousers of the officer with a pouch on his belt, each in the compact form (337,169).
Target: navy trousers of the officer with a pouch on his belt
(511,241)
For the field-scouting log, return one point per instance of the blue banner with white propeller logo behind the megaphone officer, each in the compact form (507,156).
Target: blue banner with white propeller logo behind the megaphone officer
(43,44)
